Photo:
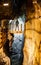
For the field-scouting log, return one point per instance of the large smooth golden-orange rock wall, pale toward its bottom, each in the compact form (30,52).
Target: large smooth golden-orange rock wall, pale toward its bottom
(32,44)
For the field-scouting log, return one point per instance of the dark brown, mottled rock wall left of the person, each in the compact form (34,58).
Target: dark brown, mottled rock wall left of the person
(4,59)
